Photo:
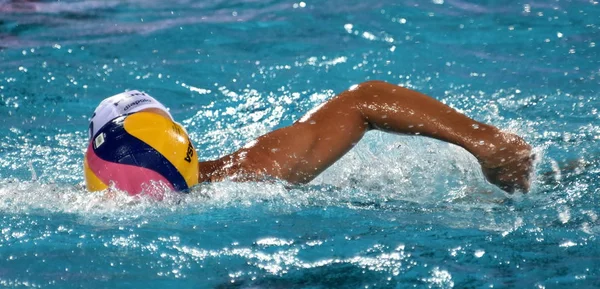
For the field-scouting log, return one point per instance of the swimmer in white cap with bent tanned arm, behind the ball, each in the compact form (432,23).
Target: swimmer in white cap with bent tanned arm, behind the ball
(301,151)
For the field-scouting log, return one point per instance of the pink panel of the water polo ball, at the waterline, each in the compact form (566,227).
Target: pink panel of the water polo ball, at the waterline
(125,177)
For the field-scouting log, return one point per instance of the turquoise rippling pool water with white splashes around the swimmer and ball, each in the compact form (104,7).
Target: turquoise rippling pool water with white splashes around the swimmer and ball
(396,212)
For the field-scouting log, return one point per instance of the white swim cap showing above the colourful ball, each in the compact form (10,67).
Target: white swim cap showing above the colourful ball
(122,104)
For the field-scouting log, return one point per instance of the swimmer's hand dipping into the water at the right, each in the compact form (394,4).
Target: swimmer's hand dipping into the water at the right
(508,163)
